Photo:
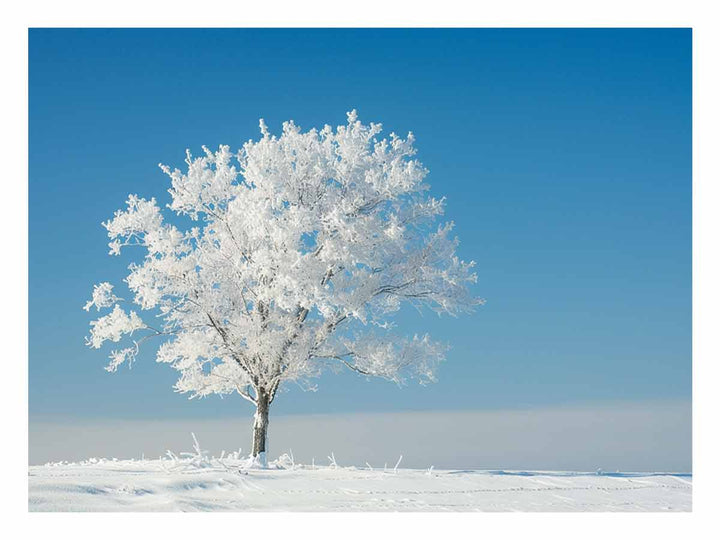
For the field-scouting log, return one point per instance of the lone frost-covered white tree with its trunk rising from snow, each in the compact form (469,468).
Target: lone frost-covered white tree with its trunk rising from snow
(306,244)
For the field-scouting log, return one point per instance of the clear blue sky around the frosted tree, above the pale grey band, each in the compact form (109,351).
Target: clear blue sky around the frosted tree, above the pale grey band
(565,156)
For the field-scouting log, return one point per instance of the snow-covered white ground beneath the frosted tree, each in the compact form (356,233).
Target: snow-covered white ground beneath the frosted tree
(199,483)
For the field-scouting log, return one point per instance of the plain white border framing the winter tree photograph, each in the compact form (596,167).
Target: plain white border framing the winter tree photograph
(327,13)
